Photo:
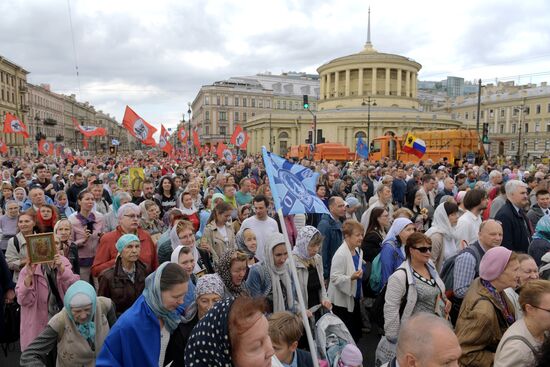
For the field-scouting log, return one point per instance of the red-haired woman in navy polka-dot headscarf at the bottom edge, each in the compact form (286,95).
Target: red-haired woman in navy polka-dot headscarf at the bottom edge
(233,333)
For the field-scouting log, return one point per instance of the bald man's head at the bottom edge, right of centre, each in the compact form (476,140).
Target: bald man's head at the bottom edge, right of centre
(426,340)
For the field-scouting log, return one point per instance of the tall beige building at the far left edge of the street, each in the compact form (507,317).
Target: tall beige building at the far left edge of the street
(13,100)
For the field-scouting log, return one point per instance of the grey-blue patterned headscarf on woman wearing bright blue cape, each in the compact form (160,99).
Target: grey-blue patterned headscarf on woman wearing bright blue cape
(153,298)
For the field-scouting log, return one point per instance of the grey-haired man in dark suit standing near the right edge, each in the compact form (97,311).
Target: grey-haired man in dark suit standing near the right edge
(517,229)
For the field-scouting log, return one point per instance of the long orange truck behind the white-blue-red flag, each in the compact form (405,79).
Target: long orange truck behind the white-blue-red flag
(450,144)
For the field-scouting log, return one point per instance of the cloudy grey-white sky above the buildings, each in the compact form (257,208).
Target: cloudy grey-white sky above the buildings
(155,55)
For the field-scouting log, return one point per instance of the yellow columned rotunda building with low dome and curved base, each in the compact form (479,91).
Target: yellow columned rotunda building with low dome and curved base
(367,94)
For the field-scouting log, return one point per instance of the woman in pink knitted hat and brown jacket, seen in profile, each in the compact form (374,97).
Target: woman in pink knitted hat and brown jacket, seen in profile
(486,312)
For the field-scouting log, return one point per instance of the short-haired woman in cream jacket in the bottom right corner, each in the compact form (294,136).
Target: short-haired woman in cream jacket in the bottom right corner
(526,336)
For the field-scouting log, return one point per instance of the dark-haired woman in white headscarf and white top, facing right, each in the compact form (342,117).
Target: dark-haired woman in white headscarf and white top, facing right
(443,233)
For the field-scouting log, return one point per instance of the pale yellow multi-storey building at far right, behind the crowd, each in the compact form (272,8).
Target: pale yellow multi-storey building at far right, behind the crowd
(518,118)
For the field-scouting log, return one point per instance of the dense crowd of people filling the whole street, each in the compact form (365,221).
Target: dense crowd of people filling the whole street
(444,262)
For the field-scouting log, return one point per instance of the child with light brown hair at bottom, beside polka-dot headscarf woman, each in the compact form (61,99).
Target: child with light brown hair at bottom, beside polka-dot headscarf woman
(285,329)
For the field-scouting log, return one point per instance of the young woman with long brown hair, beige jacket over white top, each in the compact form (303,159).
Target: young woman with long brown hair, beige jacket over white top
(218,235)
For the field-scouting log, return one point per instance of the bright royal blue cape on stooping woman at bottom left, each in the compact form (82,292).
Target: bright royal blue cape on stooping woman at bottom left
(134,340)
